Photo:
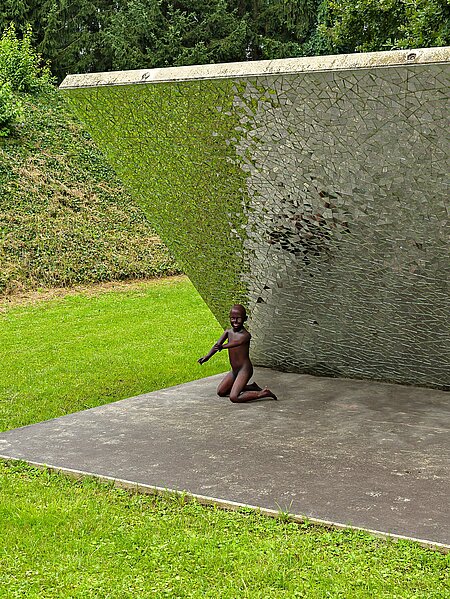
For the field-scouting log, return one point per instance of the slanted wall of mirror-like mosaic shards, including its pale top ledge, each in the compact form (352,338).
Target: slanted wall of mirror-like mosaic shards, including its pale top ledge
(313,190)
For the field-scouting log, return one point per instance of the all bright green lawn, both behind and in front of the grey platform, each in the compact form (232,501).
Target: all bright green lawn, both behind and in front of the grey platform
(66,539)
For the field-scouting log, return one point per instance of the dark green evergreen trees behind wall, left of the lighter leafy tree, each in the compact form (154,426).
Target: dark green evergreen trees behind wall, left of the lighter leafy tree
(99,35)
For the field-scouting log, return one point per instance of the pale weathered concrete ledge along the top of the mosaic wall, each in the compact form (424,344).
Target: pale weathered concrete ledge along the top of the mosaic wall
(234,70)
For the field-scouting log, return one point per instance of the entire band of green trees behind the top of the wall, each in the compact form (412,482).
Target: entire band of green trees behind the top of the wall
(100,35)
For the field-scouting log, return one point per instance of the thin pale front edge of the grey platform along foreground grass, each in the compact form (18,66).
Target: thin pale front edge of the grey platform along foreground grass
(224,503)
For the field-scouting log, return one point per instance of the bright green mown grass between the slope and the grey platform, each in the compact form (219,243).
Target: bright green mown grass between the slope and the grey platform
(85,350)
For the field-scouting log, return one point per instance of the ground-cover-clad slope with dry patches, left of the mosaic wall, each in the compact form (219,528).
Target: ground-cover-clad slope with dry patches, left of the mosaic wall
(64,217)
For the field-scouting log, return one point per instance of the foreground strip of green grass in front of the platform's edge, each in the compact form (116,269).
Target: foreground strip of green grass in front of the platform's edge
(83,539)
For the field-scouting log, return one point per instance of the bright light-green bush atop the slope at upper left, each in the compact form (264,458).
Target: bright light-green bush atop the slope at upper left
(20,65)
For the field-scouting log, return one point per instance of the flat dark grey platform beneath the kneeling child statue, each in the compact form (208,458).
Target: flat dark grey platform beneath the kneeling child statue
(371,455)
